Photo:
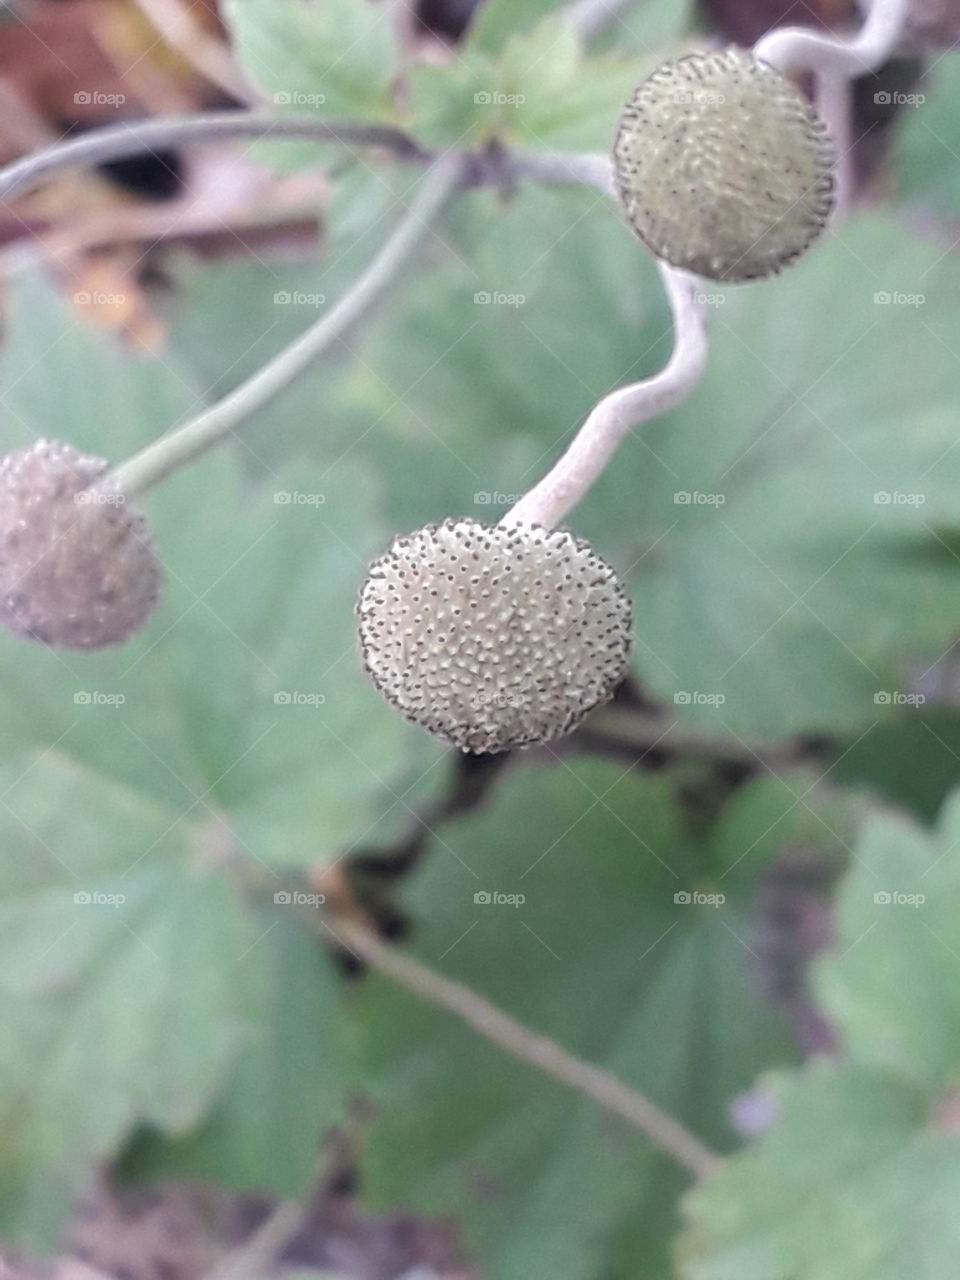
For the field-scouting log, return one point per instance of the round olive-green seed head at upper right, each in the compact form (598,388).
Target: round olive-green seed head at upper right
(723,167)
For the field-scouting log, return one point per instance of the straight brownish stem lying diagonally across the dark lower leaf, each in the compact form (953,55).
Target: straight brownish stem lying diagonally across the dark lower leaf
(537,1052)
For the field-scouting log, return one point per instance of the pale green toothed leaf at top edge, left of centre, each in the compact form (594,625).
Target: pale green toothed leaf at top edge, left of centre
(335,57)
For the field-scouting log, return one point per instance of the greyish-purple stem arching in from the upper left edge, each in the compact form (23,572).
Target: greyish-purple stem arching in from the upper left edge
(120,141)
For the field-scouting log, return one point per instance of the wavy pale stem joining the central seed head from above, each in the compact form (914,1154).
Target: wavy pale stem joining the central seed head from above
(623,410)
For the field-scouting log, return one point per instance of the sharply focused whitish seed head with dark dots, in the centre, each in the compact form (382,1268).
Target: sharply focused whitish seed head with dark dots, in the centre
(493,638)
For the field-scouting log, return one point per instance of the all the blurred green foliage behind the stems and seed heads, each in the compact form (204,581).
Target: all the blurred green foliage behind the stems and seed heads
(790,538)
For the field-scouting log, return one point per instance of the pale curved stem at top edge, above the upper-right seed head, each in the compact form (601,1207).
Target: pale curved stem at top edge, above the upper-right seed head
(794,49)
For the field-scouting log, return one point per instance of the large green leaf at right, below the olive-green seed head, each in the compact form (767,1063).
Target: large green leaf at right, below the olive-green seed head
(787,593)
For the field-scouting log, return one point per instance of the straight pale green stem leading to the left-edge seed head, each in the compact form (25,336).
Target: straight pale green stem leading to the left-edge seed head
(188,442)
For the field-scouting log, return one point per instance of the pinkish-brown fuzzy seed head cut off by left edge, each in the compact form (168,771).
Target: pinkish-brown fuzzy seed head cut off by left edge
(76,564)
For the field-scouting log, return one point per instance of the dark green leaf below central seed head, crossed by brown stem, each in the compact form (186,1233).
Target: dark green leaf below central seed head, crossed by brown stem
(601,957)
